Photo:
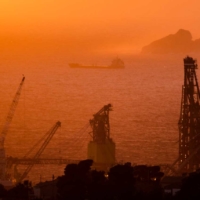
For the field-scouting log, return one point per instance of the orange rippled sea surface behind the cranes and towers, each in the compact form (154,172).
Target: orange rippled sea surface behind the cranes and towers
(145,95)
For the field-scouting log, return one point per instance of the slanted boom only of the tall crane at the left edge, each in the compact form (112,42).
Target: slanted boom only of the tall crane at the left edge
(11,114)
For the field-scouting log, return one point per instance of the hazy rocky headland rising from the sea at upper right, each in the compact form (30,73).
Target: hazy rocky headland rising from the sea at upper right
(180,42)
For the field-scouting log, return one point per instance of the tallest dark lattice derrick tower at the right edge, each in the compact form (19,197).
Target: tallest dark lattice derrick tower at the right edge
(189,121)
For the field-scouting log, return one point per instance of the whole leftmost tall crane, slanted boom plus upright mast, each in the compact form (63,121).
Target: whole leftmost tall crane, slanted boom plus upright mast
(6,128)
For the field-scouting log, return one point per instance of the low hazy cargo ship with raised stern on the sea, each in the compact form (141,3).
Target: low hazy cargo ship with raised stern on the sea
(117,63)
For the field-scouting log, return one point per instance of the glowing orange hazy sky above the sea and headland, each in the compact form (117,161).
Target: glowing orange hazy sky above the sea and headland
(121,26)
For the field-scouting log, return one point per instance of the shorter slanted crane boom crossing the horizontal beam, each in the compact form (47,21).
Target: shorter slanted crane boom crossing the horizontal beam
(49,134)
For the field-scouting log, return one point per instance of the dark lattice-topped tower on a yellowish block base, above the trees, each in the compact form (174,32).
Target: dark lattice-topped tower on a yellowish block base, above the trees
(101,149)
